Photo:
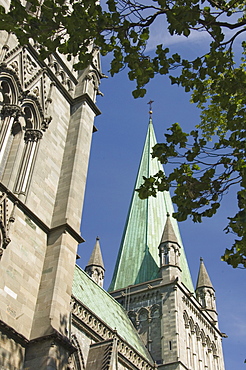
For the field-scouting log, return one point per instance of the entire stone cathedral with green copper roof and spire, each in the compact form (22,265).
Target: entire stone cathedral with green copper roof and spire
(53,314)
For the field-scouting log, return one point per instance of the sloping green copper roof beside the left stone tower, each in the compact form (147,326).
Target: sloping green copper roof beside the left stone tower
(107,309)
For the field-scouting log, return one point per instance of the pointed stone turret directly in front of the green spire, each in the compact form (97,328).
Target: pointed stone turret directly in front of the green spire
(169,252)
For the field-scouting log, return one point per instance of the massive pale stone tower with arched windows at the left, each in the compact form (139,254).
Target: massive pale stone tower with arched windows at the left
(47,121)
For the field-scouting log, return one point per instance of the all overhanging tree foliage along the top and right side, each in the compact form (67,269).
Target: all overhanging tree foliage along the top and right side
(216,81)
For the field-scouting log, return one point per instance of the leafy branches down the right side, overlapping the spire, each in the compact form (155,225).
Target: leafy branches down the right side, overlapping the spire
(207,169)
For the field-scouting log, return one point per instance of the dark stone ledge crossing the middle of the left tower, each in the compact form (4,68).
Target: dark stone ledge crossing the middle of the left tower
(65,227)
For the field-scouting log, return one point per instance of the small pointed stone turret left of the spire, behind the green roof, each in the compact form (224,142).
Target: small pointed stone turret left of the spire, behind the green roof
(95,267)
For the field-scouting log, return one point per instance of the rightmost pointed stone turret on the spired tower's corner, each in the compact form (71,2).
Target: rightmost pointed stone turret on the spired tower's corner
(205,292)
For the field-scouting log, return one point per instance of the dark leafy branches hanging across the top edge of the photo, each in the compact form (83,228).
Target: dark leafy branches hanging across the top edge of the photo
(123,29)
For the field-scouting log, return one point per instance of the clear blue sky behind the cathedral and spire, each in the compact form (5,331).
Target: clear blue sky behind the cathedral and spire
(115,155)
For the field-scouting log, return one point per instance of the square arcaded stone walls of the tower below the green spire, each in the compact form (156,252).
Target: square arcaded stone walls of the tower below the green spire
(173,326)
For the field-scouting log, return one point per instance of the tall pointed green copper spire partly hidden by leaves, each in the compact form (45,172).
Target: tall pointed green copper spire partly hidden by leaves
(138,258)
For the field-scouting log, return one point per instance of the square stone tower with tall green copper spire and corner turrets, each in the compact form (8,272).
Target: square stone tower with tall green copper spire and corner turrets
(153,283)
